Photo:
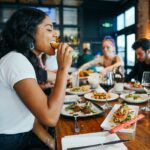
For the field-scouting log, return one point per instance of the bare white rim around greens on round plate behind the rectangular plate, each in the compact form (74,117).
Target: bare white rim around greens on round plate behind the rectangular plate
(143,98)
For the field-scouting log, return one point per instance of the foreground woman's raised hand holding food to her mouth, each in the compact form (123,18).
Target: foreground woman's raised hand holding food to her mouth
(64,56)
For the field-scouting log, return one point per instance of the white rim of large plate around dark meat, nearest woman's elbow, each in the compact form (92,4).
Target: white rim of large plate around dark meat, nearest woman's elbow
(98,110)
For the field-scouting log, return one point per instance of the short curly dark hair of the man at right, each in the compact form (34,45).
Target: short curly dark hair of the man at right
(141,43)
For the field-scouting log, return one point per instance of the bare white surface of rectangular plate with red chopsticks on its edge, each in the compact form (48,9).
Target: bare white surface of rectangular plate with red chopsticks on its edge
(107,124)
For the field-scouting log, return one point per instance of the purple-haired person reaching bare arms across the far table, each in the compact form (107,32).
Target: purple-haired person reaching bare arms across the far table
(109,60)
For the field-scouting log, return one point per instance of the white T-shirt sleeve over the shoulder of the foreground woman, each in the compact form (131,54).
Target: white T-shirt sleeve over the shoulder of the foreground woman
(15,67)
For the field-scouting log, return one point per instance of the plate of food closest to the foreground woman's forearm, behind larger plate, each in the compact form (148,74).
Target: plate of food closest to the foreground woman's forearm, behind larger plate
(79,90)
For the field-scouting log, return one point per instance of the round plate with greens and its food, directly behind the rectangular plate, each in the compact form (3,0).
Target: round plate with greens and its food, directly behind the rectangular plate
(135,98)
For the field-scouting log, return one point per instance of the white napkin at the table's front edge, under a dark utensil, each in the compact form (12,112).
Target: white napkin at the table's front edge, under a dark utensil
(90,139)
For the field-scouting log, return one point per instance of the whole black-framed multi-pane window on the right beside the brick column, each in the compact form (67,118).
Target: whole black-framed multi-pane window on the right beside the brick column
(126,36)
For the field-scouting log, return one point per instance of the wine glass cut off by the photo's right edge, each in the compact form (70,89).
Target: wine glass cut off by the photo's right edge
(146,86)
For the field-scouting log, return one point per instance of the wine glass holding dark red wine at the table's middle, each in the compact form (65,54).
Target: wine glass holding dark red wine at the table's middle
(107,82)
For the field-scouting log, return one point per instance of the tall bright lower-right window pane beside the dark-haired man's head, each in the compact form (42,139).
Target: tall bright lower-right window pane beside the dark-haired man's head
(130,51)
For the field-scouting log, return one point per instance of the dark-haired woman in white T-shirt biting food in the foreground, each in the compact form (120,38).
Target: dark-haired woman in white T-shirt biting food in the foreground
(26,35)
